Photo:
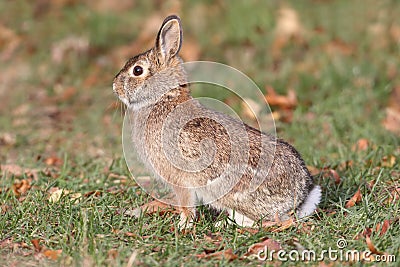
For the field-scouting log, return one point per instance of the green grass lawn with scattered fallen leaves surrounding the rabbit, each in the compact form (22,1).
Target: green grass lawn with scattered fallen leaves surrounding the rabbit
(342,99)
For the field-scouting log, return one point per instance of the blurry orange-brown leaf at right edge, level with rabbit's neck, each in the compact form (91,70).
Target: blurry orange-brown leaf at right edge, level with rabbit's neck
(392,120)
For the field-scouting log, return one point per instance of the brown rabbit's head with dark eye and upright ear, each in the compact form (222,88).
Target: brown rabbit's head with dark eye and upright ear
(148,76)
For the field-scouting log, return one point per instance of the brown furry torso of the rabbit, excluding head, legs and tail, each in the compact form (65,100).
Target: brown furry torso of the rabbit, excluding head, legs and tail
(177,126)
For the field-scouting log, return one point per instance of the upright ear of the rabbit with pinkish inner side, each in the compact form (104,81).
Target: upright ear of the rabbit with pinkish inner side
(169,38)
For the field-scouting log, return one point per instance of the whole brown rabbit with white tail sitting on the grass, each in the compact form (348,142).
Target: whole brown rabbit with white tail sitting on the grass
(167,120)
